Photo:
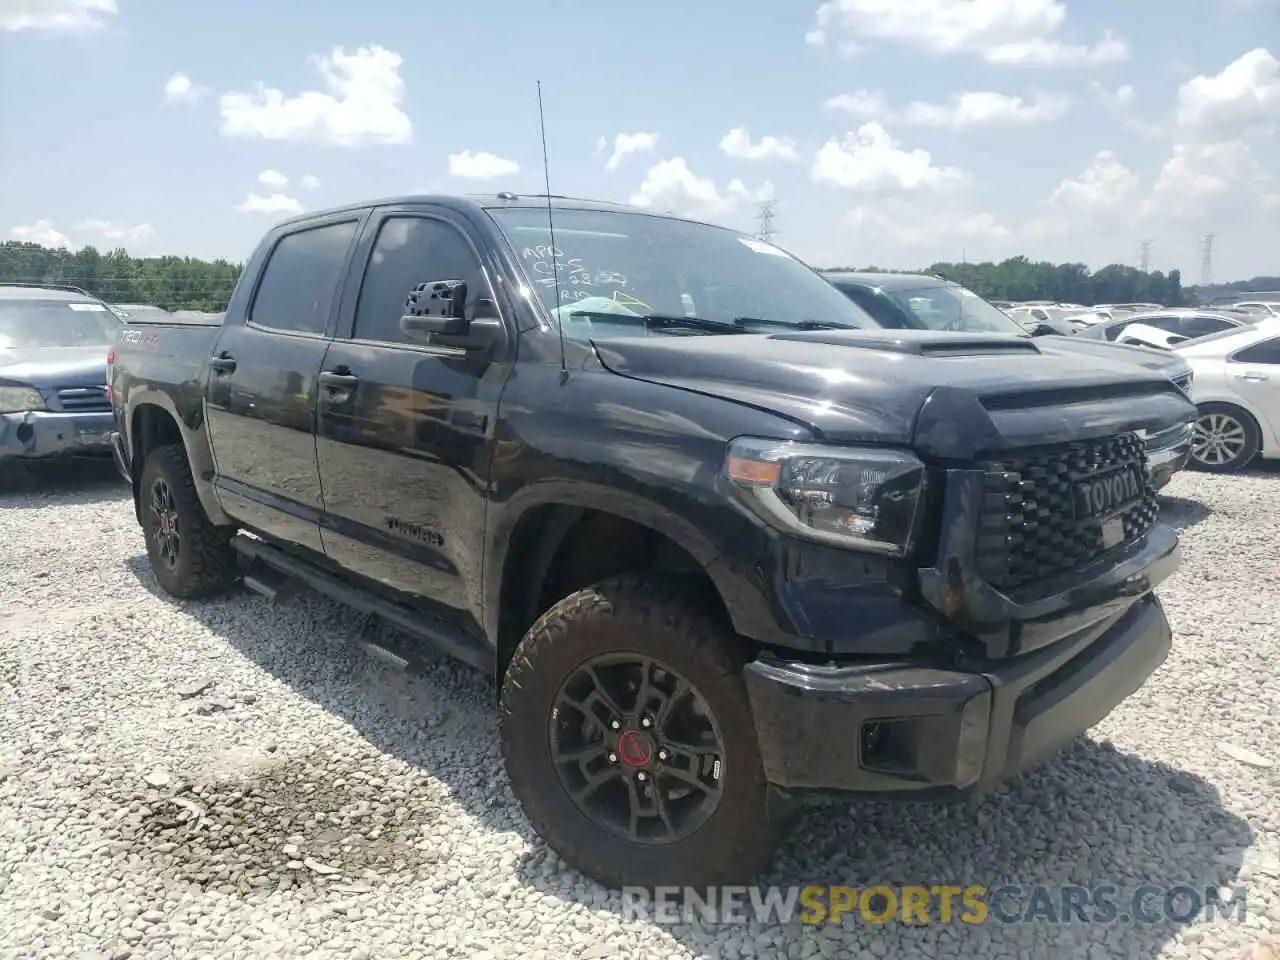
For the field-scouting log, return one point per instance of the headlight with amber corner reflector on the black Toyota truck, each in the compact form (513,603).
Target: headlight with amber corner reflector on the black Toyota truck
(858,499)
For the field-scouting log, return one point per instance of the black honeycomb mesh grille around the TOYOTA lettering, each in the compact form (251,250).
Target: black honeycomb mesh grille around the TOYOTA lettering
(1030,529)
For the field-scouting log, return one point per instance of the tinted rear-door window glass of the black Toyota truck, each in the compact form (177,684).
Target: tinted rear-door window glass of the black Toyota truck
(303,272)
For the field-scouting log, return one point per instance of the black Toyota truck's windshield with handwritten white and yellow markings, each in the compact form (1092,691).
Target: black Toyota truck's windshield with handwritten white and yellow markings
(625,264)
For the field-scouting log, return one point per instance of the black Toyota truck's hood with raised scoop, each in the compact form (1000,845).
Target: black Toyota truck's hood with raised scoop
(948,396)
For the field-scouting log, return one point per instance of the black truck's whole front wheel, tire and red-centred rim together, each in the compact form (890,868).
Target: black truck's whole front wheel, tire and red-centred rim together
(628,735)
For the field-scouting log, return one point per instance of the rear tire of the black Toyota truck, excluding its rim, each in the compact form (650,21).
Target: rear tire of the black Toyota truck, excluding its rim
(207,563)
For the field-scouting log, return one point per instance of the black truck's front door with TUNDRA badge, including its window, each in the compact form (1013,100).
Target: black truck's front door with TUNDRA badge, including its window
(405,429)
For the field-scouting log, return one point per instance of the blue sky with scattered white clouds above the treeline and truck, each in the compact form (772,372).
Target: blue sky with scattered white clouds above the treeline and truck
(897,132)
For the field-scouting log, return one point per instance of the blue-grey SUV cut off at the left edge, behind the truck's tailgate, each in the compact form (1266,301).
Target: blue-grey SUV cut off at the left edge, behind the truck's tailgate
(54,345)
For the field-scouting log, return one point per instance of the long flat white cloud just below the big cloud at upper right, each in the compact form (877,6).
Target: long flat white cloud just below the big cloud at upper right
(962,112)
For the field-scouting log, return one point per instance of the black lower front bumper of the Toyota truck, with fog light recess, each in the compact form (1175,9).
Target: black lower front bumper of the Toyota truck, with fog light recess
(921,733)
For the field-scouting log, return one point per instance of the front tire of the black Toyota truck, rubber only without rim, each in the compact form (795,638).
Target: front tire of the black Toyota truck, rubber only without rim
(665,621)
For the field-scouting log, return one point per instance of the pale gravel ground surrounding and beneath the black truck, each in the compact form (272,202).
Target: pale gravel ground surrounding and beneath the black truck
(235,779)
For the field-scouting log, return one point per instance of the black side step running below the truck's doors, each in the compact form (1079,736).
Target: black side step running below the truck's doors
(273,573)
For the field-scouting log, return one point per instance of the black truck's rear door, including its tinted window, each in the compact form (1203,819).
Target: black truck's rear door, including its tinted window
(262,388)
